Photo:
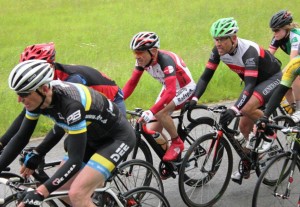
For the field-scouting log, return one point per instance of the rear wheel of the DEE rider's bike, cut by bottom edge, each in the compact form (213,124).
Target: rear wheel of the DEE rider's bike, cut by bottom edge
(145,196)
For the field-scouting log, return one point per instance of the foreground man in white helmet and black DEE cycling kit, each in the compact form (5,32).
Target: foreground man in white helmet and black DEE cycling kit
(98,135)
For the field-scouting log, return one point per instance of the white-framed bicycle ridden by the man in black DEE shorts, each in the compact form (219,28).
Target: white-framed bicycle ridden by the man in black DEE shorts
(106,196)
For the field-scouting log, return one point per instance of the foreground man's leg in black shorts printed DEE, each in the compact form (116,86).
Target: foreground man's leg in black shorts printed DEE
(109,151)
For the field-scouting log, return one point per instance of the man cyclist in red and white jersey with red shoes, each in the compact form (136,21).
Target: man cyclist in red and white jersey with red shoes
(178,85)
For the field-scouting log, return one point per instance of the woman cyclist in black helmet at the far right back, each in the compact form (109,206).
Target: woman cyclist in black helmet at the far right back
(287,37)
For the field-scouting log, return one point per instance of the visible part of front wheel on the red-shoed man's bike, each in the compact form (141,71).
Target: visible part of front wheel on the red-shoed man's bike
(143,152)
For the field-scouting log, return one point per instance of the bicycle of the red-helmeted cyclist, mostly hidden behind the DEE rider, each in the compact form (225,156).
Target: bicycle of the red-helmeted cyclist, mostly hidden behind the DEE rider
(129,174)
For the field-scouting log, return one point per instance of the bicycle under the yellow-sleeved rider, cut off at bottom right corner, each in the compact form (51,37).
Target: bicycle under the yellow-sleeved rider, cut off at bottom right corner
(285,171)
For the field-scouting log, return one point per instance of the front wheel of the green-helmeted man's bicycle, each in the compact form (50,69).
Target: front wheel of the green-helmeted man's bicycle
(201,189)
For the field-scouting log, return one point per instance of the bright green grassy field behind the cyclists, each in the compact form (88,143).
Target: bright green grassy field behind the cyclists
(97,33)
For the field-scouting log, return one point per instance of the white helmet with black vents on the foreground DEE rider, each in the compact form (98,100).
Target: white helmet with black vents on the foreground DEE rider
(29,75)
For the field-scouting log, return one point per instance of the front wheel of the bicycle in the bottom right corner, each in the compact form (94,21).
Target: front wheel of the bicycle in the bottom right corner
(263,194)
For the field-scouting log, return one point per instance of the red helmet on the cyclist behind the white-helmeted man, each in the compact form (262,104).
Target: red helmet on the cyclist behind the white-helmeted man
(45,51)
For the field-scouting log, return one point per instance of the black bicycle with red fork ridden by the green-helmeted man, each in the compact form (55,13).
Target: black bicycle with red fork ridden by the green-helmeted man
(208,163)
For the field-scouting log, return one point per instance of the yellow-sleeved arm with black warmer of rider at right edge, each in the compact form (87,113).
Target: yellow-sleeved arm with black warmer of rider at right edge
(291,72)
